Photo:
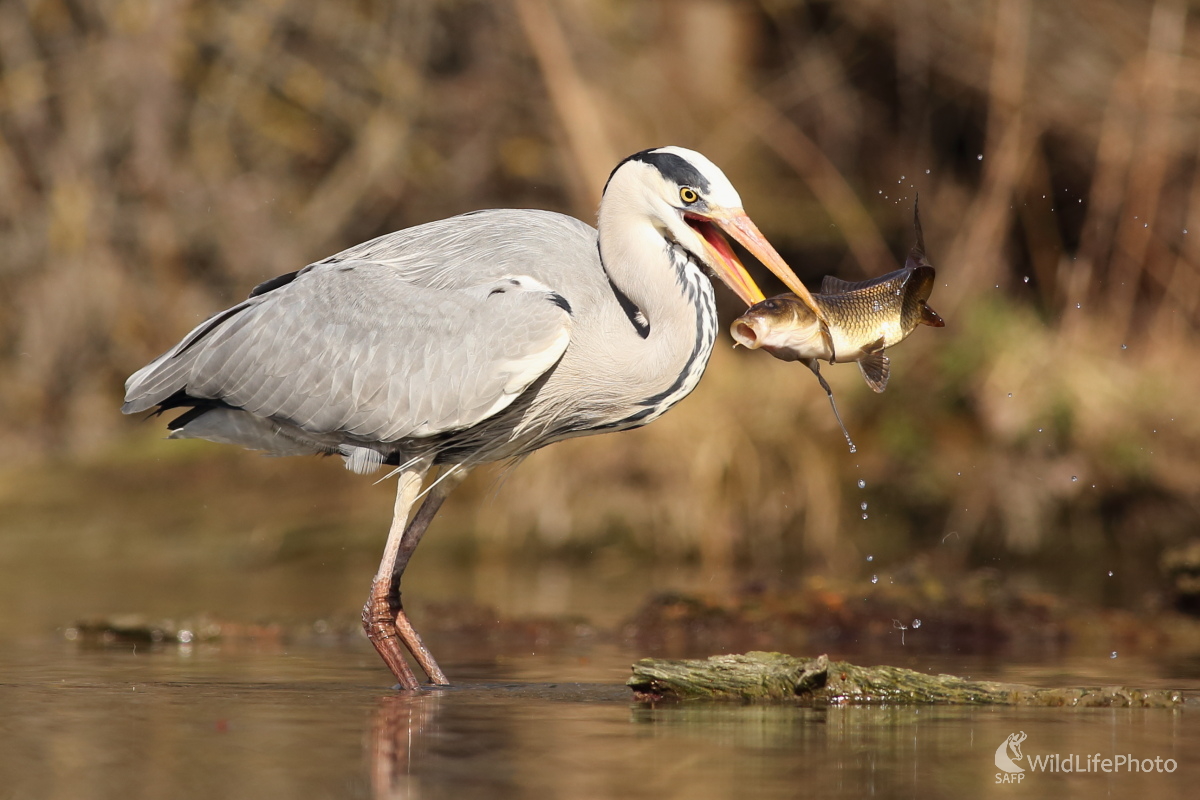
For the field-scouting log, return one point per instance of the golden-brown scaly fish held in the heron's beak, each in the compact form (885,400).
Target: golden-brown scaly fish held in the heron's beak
(863,318)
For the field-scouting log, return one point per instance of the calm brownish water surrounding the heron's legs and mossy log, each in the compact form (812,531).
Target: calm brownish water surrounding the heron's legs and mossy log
(304,707)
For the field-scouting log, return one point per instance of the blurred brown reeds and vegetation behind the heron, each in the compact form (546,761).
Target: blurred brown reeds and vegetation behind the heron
(161,158)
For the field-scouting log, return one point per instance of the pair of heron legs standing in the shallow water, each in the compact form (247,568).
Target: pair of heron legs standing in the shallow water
(385,617)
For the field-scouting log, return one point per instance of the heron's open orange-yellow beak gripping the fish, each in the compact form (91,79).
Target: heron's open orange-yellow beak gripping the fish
(737,225)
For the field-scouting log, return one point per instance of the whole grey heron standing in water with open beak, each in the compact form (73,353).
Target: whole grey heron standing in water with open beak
(471,340)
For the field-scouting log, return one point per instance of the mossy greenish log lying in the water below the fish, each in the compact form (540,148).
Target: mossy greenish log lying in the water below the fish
(775,677)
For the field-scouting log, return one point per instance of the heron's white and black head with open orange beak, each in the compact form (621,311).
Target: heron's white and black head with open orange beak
(692,203)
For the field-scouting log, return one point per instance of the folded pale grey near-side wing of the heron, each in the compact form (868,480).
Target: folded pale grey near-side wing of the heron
(353,350)
